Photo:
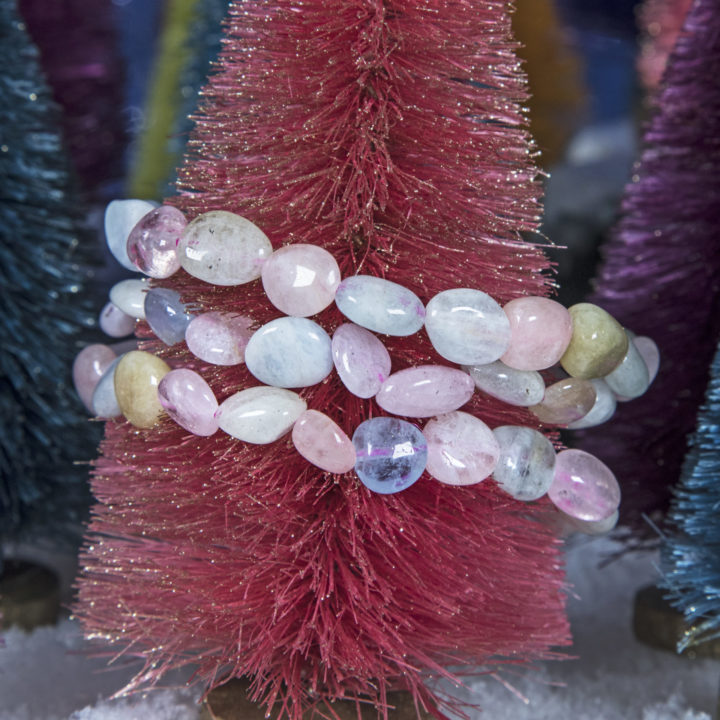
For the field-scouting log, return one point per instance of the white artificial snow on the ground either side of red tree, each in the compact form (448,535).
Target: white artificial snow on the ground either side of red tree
(48,674)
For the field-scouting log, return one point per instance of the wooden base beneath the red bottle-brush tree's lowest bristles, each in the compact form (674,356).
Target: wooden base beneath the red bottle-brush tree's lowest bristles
(230,702)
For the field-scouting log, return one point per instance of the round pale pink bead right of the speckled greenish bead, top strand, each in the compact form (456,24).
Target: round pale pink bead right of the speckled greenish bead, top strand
(301,280)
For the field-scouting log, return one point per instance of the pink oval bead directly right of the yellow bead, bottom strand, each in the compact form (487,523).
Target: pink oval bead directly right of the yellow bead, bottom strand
(189,401)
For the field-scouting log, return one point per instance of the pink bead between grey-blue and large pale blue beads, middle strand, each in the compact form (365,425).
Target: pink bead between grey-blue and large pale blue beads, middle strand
(219,338)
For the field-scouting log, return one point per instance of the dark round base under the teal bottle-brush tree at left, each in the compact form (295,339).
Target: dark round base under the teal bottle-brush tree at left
(29,595)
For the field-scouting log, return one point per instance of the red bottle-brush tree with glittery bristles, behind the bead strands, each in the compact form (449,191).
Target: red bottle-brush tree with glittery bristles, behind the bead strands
(390,133)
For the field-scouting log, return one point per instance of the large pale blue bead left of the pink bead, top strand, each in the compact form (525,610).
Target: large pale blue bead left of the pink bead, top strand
(467,326)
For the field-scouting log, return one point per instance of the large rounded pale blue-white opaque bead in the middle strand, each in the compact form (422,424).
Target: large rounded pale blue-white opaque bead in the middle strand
(289,352)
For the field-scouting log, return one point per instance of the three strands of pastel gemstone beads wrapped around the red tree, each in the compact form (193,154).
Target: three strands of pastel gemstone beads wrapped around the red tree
(500,351)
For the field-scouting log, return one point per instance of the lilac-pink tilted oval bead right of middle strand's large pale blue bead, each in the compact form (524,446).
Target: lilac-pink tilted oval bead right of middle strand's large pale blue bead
(361,360)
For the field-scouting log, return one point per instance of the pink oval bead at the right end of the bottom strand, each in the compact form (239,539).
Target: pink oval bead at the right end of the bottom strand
(583,486)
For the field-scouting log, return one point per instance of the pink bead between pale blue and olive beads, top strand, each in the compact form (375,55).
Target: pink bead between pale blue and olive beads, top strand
(540,331)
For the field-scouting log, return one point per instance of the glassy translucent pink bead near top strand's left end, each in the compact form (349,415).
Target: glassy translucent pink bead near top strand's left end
(152,243)
